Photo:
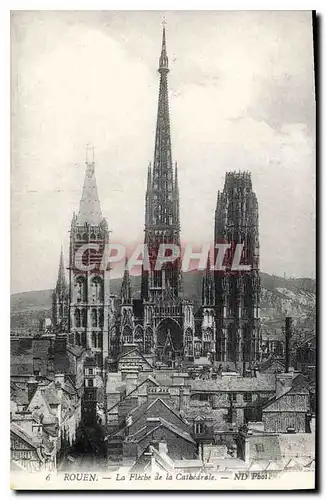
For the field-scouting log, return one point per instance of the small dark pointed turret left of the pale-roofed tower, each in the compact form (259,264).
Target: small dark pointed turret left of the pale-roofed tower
(60,300)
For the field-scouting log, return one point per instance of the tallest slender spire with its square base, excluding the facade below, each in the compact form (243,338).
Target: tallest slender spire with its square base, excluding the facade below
(162,223)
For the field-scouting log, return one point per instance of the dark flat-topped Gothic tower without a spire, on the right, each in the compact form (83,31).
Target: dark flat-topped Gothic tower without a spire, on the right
(237,293)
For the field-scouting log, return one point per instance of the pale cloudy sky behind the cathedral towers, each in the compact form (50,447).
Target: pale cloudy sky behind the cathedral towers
(241,92)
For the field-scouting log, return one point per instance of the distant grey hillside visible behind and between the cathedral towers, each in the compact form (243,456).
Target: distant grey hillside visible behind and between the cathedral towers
(280,297)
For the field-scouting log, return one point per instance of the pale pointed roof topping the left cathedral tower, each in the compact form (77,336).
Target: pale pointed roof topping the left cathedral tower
(89,207)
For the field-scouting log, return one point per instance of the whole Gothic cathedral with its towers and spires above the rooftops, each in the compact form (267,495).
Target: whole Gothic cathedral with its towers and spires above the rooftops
(161,323)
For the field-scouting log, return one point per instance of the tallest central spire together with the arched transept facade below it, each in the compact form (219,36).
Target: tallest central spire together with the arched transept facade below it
(168,322)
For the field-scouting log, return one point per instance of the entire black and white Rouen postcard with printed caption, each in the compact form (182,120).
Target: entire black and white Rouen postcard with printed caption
(163,250)
